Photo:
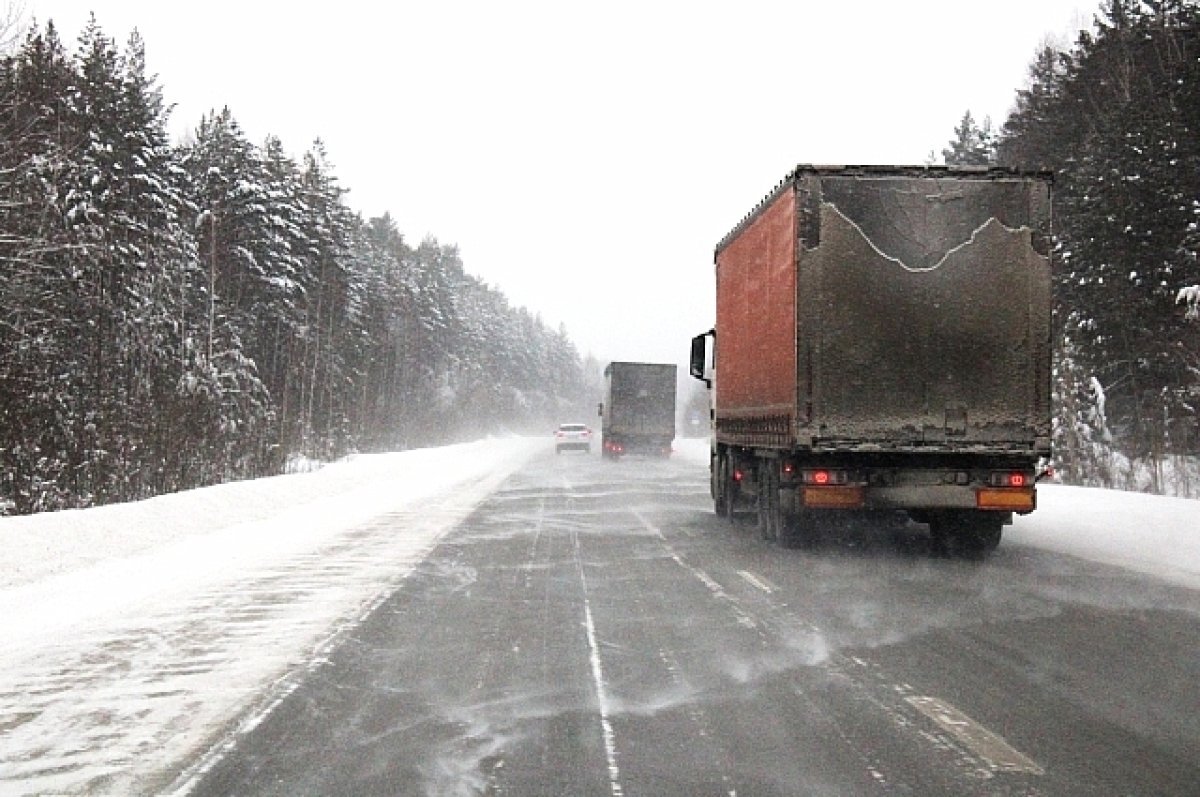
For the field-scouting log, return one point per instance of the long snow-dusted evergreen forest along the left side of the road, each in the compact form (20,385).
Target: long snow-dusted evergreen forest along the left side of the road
(178,316)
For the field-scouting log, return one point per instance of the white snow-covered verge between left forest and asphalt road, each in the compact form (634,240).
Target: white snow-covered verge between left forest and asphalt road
(135,633)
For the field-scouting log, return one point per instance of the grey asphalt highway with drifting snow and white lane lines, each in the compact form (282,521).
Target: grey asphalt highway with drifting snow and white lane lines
(595,630)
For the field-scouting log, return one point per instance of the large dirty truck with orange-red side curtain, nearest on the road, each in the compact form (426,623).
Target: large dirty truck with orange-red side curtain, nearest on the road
(883,345)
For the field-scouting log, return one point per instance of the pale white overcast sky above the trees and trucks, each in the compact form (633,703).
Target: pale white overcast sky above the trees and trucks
(587,158)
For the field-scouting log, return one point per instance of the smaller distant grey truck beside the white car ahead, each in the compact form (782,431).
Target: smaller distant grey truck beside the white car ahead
(638,415)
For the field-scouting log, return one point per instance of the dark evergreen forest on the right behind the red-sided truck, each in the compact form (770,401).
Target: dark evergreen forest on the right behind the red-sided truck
(1117,118)
